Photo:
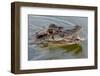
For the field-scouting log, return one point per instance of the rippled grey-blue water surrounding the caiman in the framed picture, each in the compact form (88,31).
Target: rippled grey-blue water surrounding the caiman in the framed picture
(37,23)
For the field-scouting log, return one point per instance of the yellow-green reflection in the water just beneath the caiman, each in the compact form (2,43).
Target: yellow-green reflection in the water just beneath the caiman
(74,48)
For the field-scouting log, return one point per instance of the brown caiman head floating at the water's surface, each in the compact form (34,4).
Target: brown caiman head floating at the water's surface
(64,37)
